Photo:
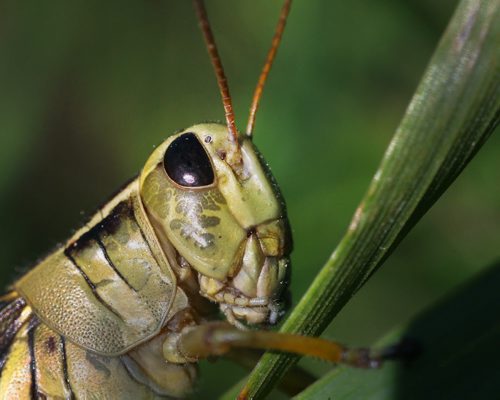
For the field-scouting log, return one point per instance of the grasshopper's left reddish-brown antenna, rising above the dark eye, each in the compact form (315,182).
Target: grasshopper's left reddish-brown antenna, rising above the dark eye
(201,12)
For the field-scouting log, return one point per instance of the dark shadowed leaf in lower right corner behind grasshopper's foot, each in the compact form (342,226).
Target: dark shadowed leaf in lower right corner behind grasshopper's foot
(459,360)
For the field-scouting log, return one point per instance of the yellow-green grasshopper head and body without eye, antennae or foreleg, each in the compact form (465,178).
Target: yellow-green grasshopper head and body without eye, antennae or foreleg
(100,316)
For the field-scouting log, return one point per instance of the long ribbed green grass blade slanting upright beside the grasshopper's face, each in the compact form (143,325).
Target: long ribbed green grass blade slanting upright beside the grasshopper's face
(452,113)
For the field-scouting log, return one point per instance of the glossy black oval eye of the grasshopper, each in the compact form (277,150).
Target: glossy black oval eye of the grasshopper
(186,162)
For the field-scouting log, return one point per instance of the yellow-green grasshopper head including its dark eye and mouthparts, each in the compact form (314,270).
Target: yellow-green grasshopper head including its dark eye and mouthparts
(229,226)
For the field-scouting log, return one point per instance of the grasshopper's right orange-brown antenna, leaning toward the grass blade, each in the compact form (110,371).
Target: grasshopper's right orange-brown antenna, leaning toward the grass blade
(280,27)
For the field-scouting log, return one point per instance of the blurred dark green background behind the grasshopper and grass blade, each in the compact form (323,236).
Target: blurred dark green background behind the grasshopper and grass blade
(88,88)
